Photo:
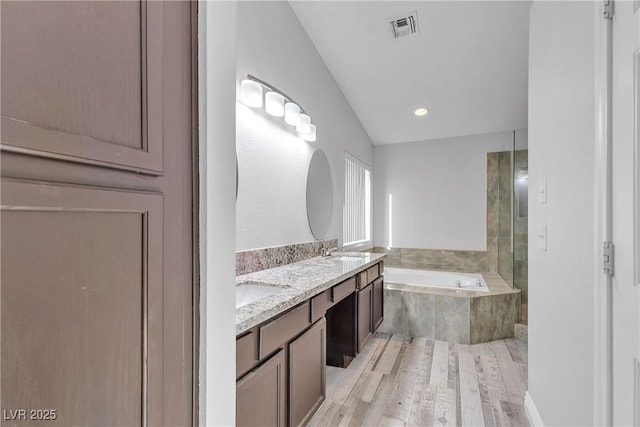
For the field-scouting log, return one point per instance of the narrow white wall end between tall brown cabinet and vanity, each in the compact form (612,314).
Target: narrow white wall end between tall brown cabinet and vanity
(216,57)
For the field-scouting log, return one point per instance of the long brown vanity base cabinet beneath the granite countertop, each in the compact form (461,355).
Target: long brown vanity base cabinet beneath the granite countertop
(280,364)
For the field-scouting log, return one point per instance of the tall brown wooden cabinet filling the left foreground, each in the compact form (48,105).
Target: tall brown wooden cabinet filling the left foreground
(98,274)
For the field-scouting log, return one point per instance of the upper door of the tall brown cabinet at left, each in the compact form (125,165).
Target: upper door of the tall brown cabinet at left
(82,81)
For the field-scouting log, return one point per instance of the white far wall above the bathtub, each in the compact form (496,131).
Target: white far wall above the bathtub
(438,190)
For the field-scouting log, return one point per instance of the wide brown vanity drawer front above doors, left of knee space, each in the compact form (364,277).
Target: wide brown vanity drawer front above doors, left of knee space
(280,330)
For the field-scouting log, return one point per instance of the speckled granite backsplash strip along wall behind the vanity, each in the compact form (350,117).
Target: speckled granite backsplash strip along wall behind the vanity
(253,260)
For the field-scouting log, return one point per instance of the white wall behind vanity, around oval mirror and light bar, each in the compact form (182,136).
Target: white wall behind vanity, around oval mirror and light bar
(272,160)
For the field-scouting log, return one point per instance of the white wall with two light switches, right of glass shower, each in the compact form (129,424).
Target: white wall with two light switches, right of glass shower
(561,149)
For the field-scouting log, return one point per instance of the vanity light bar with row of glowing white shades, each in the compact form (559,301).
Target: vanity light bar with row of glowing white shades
(278,104)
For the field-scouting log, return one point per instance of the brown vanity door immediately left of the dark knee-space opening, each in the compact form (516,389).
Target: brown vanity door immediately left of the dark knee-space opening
(307,360)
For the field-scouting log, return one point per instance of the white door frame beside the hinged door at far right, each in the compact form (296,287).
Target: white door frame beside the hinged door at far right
(602,326)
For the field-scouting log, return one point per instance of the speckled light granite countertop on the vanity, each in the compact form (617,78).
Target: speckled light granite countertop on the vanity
(299,281)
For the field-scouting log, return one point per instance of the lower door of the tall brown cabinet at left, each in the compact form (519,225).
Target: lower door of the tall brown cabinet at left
(81,272)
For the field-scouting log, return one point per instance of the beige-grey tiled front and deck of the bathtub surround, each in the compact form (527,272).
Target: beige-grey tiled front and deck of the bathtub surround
(464,317)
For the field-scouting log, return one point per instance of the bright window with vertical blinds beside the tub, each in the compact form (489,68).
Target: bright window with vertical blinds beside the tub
(357,202)
